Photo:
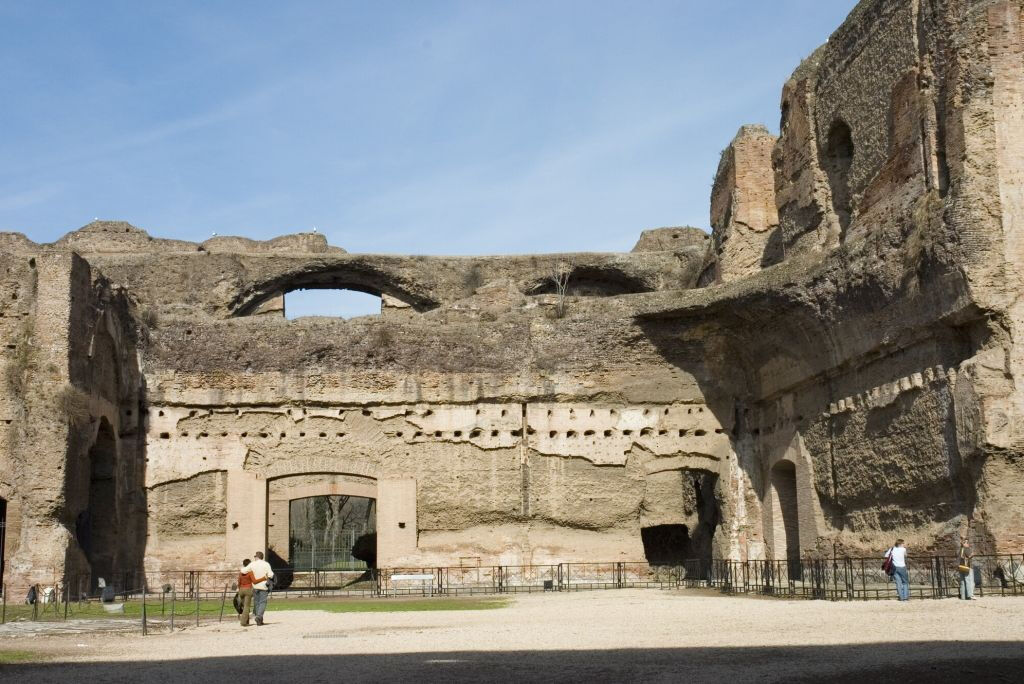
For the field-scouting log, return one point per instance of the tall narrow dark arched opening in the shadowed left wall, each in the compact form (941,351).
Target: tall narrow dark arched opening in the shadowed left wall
(98,528)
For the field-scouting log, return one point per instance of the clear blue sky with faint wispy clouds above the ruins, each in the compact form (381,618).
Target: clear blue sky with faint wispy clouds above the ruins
(413,127)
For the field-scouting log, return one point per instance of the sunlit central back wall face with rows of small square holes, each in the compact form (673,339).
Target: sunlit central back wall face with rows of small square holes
(481,415)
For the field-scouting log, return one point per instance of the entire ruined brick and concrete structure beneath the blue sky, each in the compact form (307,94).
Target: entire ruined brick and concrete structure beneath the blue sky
(836,365)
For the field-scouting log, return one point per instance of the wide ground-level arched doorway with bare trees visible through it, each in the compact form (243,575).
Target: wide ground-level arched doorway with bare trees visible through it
(324,532)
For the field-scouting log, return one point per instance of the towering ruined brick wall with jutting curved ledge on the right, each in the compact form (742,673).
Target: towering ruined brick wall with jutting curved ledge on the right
(881,355)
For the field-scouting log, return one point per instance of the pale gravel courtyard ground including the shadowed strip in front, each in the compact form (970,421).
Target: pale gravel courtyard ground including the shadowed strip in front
(627,635)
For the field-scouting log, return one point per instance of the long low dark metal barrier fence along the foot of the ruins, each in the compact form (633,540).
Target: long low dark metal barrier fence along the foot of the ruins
(183,597)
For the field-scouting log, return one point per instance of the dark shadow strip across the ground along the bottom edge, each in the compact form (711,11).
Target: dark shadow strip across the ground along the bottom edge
(911,662)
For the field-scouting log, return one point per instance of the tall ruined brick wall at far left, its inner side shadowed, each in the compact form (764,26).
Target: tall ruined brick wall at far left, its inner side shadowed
(68,365)
